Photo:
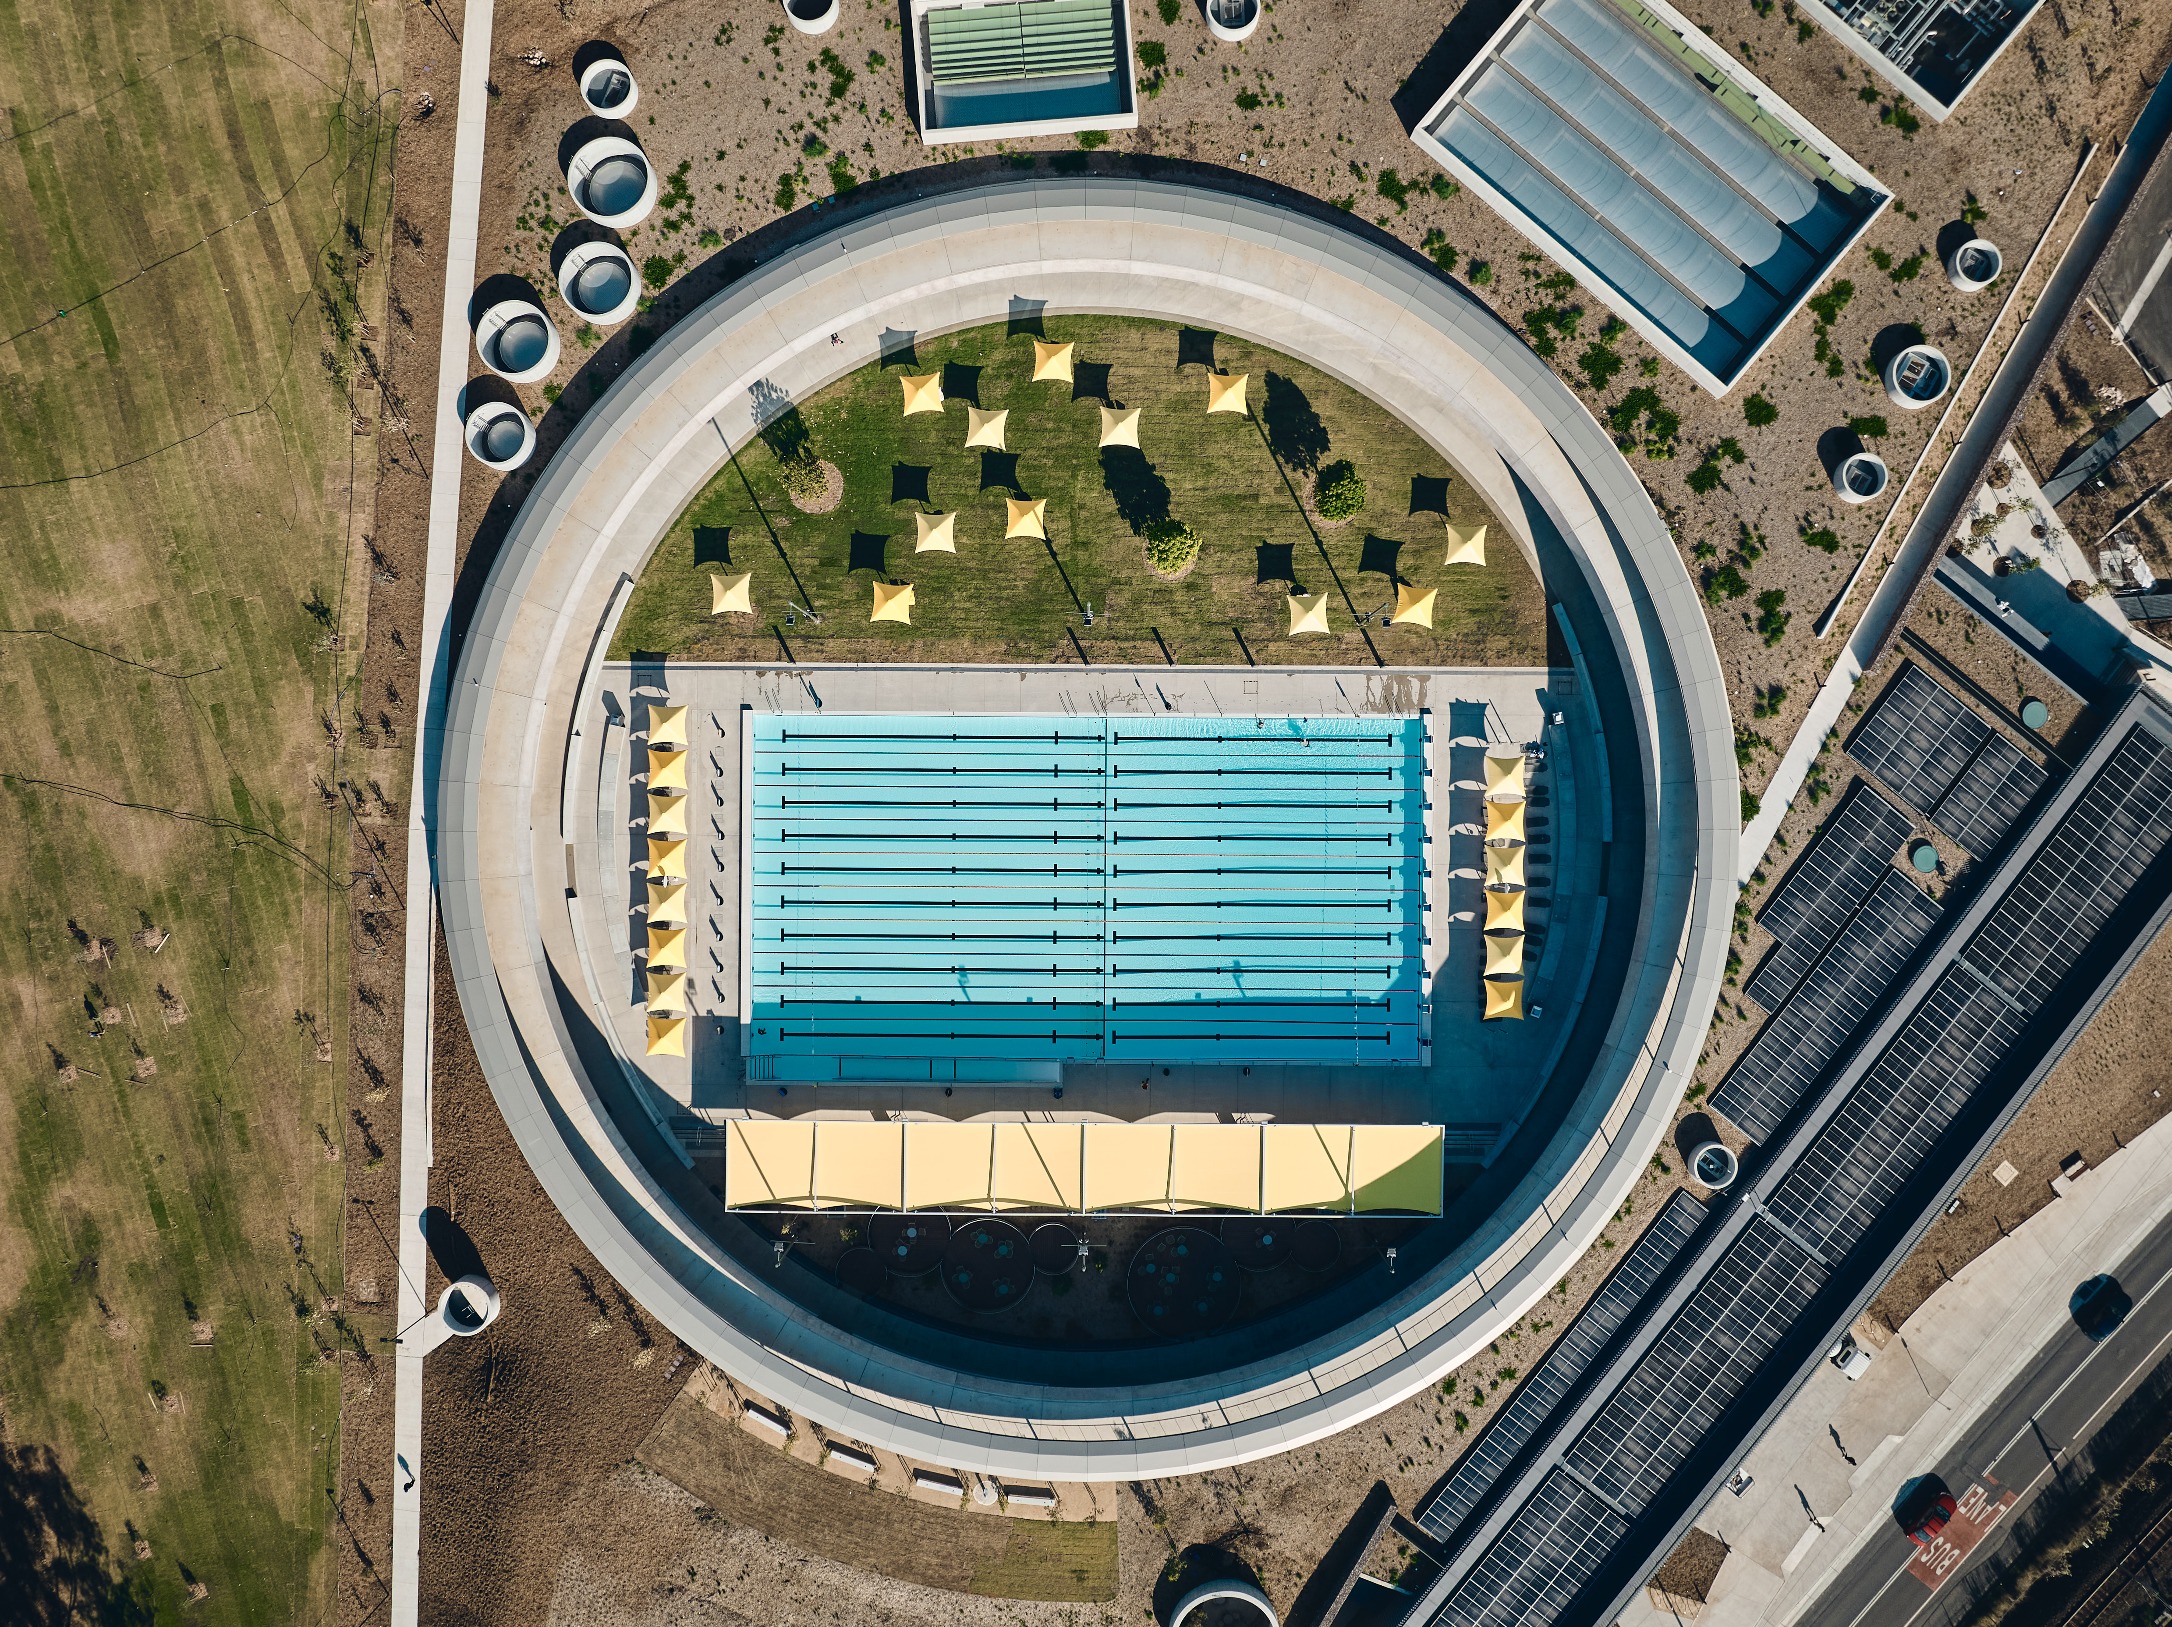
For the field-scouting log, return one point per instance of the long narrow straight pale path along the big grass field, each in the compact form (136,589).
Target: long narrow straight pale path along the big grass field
(416,1155)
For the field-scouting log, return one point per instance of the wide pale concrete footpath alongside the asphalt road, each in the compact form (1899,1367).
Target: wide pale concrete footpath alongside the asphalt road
(1826,1474)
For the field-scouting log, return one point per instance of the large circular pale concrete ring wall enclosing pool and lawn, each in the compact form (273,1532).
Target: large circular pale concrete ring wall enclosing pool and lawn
(1348,305)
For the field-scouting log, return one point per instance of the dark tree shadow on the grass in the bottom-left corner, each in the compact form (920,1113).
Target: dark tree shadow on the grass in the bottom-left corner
(55,1569)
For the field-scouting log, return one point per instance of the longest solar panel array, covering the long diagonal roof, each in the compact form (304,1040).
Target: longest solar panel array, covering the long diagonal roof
(1949,1046)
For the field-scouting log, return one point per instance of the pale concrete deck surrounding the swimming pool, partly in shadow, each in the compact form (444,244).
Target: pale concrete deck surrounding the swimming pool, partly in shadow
(1485,1074)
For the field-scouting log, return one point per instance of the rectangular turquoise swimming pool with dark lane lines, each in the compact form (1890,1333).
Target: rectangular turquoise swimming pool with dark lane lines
(989,898)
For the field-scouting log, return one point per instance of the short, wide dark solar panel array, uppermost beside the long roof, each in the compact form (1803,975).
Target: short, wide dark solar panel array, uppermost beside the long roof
(1947,761)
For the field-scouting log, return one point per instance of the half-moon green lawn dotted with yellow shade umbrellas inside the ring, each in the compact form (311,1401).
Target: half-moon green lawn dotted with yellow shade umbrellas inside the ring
(1235,481)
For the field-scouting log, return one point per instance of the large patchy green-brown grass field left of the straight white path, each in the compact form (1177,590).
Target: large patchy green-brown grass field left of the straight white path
(179,333)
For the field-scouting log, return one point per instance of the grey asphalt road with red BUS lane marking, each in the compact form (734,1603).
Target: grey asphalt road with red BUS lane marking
(2012,1454)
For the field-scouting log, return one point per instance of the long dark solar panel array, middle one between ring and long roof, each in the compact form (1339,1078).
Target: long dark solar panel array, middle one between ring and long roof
(1808,1033)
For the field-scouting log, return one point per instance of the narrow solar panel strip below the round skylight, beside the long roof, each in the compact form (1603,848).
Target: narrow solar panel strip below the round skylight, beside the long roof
(1574,1354)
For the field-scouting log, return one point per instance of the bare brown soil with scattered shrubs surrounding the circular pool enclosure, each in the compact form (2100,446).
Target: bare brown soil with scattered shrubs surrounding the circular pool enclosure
(564,1528)
